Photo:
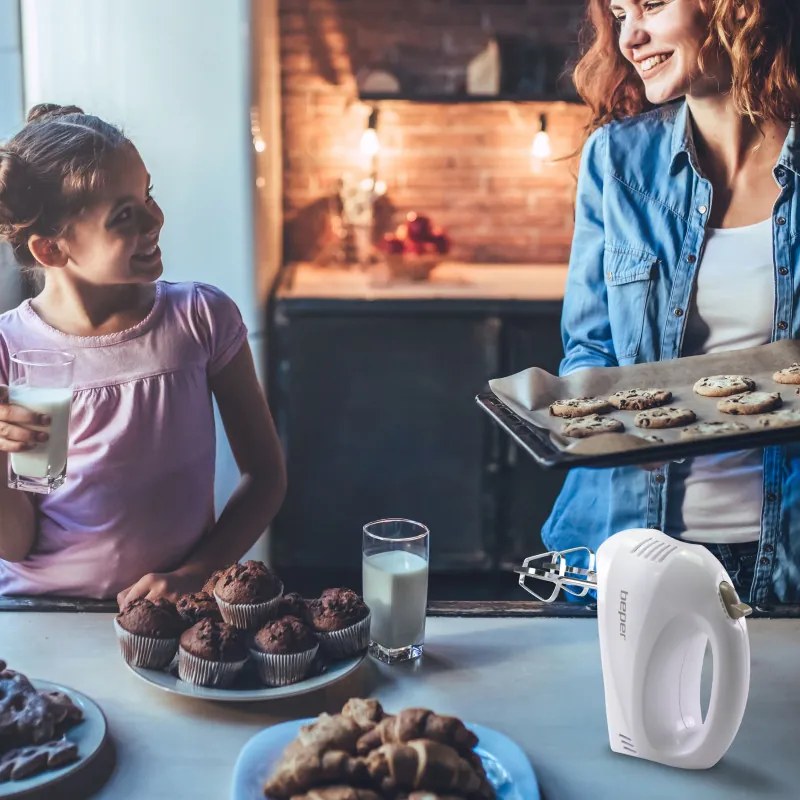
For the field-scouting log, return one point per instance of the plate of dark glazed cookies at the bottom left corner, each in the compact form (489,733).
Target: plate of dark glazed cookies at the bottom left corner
(47,732)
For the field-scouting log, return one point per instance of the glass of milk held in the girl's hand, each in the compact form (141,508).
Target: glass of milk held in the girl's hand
(41,380)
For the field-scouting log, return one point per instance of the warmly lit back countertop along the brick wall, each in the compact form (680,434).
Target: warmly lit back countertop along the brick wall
(449,280)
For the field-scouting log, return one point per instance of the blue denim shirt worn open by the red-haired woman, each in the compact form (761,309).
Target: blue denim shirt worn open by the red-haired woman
(640,228)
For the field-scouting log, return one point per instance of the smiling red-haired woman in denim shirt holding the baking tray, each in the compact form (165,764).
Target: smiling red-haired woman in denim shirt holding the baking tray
(686,243)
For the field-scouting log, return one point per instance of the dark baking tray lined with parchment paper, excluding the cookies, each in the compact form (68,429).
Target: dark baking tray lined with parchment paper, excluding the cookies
(525,400)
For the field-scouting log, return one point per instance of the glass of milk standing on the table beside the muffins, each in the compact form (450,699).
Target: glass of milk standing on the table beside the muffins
(395,571)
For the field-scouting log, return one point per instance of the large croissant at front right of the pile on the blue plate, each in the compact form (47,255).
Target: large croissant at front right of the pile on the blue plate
(425,764)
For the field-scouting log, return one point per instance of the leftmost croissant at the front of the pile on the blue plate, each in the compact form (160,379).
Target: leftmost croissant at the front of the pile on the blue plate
(306,769)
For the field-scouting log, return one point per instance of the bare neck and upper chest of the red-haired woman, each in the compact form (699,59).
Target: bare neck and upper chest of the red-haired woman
(728,144)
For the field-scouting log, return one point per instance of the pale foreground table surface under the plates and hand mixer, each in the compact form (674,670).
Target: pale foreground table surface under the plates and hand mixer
(536,679)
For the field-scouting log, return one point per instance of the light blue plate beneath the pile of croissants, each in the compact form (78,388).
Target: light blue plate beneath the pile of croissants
(506,765)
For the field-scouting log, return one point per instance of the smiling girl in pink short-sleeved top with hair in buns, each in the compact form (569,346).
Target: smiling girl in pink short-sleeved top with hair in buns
(136,516)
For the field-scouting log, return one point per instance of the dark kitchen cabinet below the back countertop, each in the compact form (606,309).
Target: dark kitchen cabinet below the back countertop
(374,403)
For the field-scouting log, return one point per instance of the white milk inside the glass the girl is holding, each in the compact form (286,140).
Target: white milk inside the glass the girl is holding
(45,458)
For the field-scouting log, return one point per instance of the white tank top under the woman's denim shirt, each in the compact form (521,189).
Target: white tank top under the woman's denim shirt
(717,499)
